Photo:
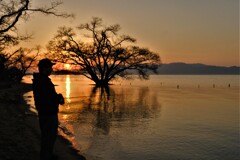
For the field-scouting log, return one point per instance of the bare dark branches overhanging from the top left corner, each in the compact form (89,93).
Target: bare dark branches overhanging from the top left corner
(13,11)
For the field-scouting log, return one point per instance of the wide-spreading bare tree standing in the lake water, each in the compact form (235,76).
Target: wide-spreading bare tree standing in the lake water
(102,55)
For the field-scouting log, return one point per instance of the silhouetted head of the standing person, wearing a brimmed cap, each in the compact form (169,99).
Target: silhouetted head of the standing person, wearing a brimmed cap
(45,66)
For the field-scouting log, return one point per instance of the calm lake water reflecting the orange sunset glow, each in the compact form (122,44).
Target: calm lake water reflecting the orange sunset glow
(165,118)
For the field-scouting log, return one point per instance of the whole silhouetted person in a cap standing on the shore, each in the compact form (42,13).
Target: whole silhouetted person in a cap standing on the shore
(46,102)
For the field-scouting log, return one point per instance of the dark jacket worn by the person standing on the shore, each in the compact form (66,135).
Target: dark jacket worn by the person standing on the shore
(45,96)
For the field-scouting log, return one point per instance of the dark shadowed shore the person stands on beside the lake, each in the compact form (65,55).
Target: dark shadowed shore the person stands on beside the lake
(19,129)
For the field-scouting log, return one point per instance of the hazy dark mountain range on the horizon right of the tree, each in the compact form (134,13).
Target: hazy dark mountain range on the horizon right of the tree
(183,68)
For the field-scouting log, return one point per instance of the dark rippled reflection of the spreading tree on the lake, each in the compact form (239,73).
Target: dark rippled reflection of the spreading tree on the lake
(118,105)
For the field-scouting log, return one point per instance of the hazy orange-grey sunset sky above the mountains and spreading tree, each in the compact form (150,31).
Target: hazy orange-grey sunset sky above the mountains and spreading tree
(191,31)
